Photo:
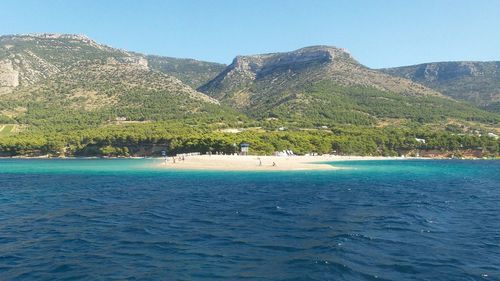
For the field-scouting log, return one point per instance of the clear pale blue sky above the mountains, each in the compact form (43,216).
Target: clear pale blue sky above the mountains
(378,33)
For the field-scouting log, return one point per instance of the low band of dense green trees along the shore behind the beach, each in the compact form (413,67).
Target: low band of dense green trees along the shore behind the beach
(175,137)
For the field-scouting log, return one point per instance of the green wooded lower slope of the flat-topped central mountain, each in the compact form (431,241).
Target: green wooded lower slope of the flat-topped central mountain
(331,103)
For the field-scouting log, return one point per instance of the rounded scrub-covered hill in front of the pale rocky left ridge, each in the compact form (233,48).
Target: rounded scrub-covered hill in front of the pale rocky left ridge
(91,94)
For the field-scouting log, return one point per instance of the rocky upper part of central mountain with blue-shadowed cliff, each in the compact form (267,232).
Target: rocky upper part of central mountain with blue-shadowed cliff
(257,76)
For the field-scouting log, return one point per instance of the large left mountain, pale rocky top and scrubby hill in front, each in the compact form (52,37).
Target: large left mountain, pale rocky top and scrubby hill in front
(70,79)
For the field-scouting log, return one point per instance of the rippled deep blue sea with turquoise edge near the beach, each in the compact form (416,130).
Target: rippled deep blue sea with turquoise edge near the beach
(127,220)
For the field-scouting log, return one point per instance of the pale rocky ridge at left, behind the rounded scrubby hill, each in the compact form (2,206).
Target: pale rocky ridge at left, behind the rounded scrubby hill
(28,59)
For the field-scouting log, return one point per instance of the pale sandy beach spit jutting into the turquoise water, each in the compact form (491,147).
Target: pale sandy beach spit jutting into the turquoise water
(260,163)
